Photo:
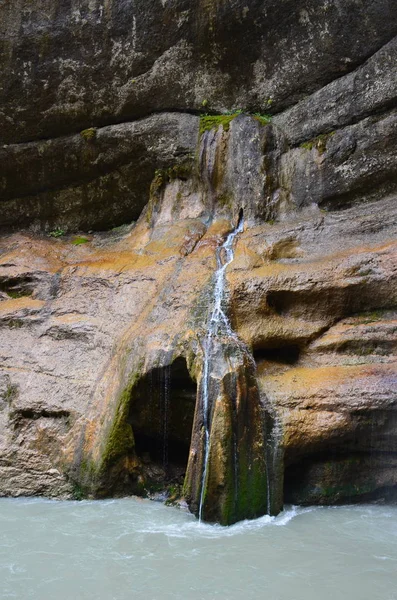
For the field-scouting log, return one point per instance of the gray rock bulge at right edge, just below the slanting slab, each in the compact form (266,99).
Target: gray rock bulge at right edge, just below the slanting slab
(353,164)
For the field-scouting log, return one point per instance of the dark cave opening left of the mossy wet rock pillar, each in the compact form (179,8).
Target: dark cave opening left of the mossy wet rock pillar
(161,416)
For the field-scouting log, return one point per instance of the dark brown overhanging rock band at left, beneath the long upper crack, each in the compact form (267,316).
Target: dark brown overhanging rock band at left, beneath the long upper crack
(98,178)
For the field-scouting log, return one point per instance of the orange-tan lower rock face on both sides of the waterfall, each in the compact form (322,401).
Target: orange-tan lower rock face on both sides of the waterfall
(318,320)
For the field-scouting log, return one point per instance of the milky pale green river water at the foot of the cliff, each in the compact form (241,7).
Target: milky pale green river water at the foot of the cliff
(141,550)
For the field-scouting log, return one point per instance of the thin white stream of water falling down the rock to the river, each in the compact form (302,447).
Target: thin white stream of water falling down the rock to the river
(217,318)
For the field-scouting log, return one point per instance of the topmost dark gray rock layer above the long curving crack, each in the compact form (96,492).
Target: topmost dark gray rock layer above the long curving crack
(67,66)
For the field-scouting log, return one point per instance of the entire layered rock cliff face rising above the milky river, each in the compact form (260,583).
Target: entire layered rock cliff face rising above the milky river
(116,194)
